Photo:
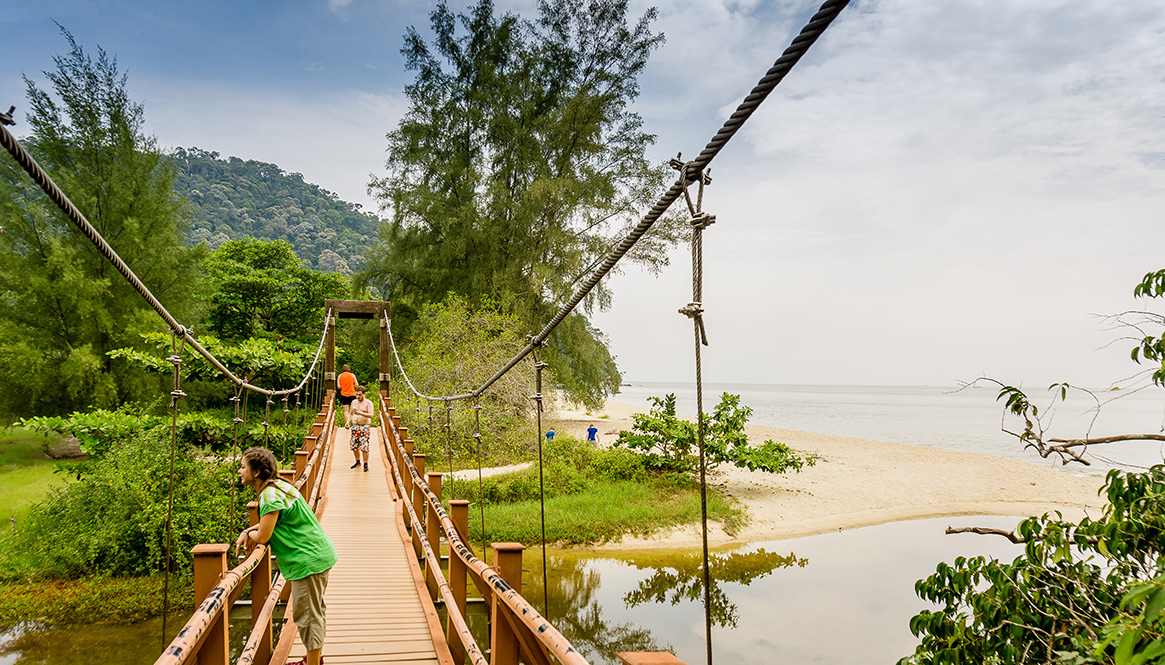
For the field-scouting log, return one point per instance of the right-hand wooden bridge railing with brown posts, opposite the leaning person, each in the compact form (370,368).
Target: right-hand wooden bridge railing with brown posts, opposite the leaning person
(518,629)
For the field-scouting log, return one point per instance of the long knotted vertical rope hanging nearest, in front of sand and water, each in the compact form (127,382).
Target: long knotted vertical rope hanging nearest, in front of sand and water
(695,310)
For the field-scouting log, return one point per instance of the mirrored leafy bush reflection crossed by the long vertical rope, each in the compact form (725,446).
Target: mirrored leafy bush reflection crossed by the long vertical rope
(682,579)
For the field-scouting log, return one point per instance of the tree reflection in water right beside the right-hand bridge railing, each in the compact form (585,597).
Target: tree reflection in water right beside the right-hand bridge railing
(577,614)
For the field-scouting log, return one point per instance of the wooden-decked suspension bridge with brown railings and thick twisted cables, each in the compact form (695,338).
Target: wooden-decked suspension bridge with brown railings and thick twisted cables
(401,555)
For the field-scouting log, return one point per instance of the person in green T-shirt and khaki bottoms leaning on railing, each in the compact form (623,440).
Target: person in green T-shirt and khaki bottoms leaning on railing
(305,553)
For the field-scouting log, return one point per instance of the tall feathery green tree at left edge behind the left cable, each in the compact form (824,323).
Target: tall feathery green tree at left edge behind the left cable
(62,305)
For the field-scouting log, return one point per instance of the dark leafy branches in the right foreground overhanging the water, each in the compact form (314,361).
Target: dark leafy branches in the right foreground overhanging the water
(1085,592)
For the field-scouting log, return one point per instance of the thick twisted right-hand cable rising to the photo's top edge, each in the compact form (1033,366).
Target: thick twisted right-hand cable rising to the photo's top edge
(774,76)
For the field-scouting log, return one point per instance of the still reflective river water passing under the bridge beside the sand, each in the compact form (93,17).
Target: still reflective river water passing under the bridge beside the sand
(835,599)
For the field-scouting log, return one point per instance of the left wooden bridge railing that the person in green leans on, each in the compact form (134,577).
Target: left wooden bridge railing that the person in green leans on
(206,638)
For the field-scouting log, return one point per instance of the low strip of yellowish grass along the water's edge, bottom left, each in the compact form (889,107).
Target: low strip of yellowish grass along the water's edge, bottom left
(93,600)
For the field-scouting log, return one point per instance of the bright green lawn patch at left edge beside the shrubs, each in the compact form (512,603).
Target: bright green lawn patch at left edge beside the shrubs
(26,472)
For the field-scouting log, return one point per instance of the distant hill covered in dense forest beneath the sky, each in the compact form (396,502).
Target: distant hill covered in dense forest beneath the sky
(235,199)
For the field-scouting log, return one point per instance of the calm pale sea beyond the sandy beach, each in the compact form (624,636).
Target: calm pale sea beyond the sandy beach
(930,416)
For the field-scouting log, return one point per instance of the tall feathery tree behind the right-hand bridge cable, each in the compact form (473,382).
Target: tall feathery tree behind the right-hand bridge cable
(517,167)
